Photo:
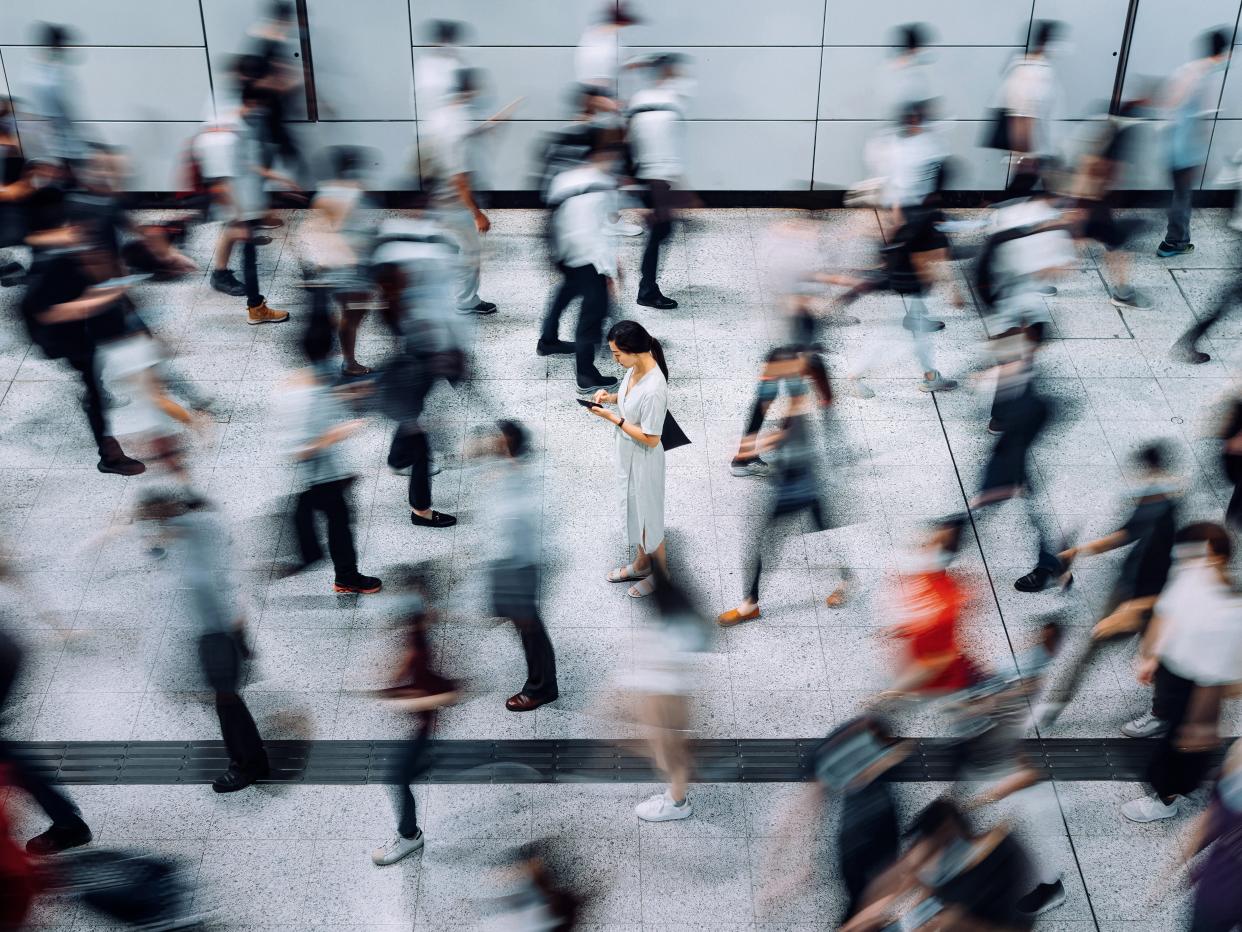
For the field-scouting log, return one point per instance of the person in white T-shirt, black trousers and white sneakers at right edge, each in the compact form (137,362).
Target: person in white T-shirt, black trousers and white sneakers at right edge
(1192,653)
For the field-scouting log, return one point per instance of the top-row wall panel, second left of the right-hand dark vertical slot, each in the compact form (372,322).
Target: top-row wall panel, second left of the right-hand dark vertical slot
(952,22)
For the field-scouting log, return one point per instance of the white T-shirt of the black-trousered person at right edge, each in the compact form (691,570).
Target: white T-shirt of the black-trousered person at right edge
(1200,636)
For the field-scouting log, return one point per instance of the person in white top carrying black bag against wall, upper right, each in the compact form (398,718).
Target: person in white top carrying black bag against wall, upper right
(1029,98)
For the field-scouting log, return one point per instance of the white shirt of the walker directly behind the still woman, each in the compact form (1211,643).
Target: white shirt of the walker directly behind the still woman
(584,199)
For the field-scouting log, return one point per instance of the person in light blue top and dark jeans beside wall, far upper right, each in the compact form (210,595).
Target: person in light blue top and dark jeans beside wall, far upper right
(1190,111)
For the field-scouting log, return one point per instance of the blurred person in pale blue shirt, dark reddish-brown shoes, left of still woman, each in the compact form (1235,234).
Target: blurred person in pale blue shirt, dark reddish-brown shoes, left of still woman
(515,570)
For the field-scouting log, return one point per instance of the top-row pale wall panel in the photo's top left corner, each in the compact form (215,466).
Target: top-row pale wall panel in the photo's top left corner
(102,23)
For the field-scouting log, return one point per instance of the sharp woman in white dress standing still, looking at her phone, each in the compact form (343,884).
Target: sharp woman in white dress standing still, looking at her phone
(643,403)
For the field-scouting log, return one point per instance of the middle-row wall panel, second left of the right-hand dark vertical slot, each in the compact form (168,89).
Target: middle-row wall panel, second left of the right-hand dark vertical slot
(853,83)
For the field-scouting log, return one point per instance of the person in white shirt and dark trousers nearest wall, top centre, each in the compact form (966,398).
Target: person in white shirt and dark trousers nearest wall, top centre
(656,135)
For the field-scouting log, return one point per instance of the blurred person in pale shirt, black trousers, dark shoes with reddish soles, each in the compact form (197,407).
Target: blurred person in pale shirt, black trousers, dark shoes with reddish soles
(316,426)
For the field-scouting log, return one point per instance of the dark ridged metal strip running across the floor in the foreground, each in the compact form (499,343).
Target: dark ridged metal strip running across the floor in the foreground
(725,761)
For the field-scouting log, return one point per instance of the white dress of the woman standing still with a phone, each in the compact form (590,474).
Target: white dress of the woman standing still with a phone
(641,468)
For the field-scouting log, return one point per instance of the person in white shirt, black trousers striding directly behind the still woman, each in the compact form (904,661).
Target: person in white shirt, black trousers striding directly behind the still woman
(583,201)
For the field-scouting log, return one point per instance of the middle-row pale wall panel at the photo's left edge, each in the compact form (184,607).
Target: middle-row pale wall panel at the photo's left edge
(127,84)
